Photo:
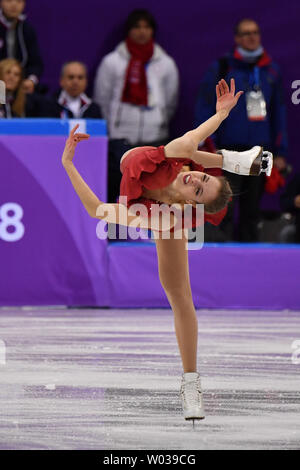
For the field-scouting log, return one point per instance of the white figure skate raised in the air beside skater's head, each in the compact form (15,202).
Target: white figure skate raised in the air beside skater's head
(251,162)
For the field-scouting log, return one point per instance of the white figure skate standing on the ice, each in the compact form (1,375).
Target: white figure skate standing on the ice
(191,396)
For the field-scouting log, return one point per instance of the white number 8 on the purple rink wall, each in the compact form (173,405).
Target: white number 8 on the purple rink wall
(10,217)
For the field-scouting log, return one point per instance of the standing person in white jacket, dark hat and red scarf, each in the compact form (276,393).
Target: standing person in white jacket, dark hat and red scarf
(136,86)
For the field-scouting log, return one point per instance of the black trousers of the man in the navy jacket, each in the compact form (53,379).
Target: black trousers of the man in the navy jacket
(249,190)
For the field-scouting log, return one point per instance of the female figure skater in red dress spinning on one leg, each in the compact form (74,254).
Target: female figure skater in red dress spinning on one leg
(156,175)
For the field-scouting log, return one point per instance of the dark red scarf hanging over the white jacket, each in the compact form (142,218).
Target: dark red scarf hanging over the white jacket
(135,87)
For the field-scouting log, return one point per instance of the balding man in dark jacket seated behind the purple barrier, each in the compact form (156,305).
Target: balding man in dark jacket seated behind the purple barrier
(71,101)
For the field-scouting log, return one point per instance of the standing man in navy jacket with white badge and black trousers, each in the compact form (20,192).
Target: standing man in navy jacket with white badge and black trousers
(259,119)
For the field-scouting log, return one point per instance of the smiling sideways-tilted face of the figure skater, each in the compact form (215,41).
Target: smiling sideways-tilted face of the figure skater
(197,187)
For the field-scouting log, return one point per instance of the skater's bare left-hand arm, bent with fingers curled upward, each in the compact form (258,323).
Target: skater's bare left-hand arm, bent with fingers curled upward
(111,213)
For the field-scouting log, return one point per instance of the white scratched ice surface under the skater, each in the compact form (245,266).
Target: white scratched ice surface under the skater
(110,379)
